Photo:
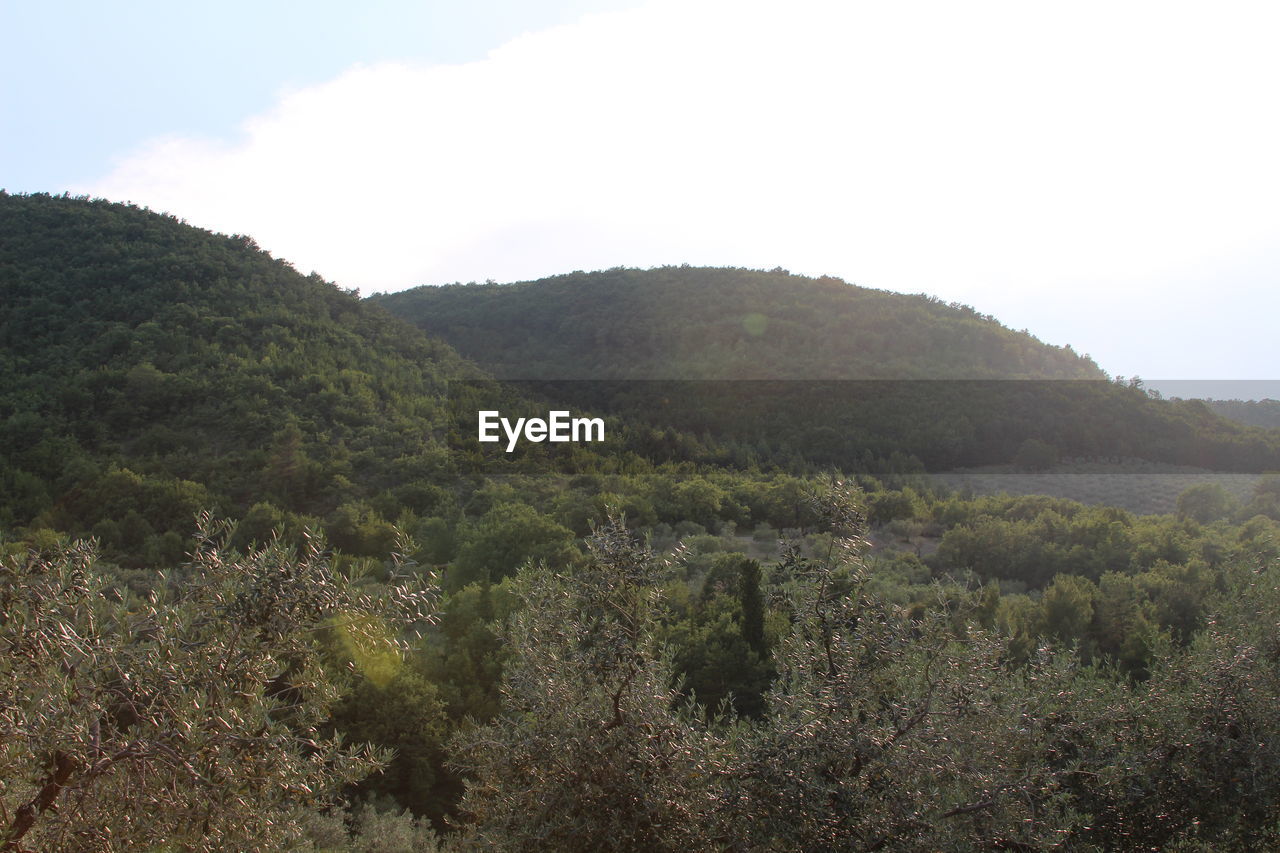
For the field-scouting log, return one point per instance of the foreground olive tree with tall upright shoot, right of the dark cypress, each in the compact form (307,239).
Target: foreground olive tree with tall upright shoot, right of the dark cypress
(889,729)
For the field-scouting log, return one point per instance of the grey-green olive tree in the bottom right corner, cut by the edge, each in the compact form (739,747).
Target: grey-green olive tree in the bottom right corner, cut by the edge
(1191,760)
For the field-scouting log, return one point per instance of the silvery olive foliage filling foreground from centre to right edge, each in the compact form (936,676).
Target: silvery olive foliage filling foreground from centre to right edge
(886,729)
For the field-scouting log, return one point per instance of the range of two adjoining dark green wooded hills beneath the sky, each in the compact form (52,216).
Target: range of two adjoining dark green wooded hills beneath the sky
(150,370)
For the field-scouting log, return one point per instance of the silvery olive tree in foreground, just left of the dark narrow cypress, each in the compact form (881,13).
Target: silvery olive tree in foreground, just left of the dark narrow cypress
(592,751)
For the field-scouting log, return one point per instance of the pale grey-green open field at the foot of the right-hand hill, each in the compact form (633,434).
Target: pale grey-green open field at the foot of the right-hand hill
(1139,486)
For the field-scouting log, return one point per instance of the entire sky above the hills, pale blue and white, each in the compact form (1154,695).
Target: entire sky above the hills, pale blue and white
(1103,175)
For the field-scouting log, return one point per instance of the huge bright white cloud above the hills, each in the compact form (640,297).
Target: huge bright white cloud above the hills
(970,150)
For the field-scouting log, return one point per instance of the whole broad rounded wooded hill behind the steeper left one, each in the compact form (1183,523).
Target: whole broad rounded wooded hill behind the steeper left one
(817,372)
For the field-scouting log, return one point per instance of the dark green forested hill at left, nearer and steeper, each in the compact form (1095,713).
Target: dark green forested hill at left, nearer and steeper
(152,370)
